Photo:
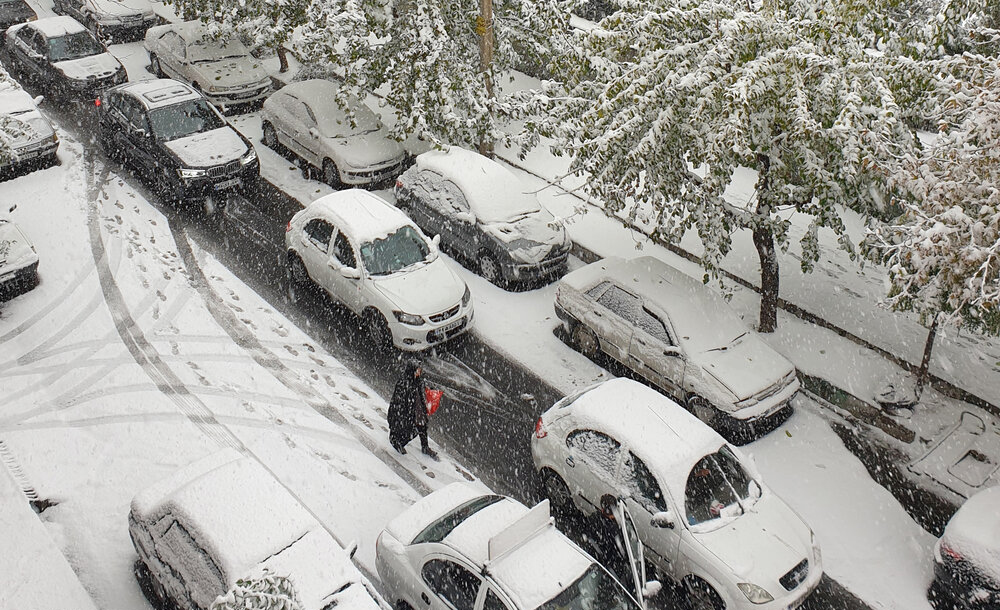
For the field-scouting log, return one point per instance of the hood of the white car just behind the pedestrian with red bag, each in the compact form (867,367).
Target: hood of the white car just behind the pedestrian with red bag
(424,290)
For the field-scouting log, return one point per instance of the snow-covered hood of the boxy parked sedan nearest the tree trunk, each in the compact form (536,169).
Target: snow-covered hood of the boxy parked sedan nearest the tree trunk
(744,367)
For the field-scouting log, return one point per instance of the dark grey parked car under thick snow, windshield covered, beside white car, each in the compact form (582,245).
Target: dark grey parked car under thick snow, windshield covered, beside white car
(485,215)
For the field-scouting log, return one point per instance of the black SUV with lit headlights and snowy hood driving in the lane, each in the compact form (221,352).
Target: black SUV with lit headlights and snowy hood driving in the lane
(176,140)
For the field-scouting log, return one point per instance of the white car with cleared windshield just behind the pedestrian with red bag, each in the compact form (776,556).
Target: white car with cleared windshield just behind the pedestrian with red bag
(371,258)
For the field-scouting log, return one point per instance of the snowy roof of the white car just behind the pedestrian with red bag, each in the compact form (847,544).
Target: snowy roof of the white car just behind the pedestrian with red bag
(359,213)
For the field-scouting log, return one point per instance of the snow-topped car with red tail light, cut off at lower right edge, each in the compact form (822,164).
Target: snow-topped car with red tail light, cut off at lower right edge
(967,557)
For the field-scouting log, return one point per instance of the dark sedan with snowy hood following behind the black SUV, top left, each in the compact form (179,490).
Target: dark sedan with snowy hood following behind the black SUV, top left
(63,56)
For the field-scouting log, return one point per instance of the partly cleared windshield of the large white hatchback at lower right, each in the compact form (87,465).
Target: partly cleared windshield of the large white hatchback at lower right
(718,487)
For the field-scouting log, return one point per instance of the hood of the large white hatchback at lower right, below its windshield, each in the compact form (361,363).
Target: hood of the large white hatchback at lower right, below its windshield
(762,545)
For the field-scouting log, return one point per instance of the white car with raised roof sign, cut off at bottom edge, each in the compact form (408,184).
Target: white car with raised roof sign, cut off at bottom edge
(461,548)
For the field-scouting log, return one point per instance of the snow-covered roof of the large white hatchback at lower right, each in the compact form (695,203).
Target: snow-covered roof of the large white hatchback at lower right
(658,430)
